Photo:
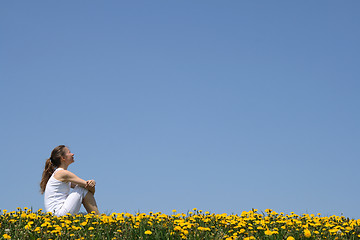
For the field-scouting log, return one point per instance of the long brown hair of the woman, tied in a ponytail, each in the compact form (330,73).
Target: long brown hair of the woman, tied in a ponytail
(50,165)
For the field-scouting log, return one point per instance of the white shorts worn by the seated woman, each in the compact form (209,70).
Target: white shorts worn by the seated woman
(73,202)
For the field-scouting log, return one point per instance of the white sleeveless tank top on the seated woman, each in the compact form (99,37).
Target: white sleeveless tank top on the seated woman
(56,193)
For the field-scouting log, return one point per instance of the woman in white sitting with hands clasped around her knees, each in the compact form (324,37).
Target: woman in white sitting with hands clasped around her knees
(56,182)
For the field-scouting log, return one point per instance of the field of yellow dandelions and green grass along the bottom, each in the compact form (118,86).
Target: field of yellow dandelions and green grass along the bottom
(25,224)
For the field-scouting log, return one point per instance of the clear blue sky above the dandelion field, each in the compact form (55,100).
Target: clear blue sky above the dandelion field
(220,105)
